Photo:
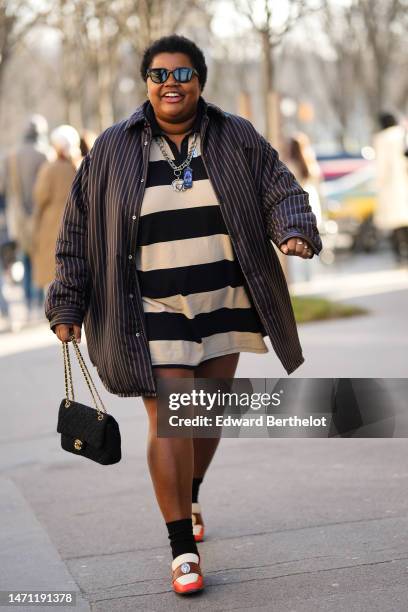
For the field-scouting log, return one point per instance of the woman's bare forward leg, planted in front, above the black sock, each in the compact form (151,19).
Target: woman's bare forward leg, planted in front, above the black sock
(170,460)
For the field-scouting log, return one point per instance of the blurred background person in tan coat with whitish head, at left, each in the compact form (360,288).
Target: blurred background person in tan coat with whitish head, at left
(50,193)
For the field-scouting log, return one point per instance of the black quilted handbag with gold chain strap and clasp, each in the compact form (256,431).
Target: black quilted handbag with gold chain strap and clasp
(86,431)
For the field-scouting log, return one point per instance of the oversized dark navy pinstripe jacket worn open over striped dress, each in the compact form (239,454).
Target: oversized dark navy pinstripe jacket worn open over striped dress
(96,279)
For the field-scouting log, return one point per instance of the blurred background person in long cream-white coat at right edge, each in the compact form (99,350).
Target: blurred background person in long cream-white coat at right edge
(391,163)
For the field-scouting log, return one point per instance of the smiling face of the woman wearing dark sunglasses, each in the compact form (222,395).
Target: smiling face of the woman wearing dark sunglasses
(173,109)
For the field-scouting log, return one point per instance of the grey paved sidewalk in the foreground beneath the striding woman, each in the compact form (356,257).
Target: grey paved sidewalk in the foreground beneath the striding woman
(294,525)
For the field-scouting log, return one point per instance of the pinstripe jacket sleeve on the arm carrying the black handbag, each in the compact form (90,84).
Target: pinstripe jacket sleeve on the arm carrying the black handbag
(67,296)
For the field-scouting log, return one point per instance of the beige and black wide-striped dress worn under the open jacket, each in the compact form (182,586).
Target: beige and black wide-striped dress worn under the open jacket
(195,298)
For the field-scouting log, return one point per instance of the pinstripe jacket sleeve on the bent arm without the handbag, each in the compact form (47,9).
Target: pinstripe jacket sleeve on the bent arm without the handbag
(285,204)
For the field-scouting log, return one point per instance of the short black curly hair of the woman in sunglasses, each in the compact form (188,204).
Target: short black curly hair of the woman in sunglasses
(175,44)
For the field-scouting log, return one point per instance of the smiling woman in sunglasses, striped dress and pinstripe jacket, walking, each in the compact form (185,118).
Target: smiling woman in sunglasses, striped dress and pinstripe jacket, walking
(171,267)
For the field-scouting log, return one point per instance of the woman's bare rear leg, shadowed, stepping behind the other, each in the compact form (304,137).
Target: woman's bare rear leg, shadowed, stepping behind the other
(204,448)
